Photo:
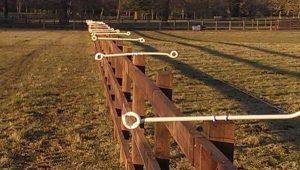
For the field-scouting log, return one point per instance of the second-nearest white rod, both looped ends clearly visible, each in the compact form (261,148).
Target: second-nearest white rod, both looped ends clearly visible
(172,54)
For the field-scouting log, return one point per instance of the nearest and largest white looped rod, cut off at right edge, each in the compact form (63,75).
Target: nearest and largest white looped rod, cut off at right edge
(139,120)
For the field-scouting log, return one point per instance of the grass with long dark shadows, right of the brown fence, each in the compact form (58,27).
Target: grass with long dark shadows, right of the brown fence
(237,73)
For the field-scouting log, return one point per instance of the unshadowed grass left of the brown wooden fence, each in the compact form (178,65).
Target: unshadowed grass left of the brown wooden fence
(52,110)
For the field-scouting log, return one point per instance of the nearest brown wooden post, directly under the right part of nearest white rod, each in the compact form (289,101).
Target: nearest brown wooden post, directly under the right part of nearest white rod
(221,134)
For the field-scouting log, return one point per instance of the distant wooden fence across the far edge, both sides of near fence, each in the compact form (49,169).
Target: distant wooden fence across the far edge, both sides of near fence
(41,21)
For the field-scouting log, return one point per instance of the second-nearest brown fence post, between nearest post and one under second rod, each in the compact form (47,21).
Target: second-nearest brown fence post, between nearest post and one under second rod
(162,135)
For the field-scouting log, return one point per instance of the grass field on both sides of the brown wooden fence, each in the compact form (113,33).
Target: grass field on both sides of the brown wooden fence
(52,110)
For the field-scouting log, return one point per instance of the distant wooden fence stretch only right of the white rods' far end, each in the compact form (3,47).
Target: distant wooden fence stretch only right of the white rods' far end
(285,24)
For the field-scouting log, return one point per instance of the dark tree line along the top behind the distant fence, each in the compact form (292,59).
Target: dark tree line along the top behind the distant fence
(154,9)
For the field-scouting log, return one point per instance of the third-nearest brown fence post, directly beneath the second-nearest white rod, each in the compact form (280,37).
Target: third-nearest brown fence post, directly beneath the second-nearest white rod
(137,107)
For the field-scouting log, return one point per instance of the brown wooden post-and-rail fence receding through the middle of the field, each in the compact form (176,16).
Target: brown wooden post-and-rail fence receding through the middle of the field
(126,88)
